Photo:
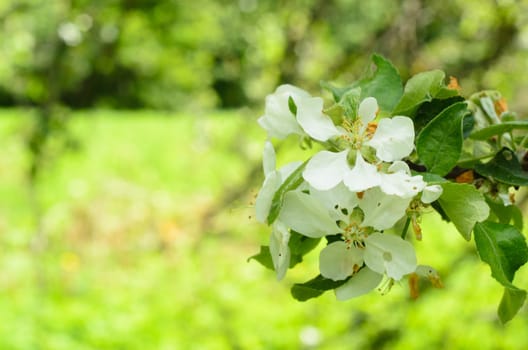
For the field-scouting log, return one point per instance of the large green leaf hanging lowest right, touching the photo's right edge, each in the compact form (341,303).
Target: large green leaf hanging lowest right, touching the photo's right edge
(503,247)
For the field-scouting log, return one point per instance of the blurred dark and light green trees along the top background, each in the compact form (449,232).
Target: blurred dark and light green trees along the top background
(171,53)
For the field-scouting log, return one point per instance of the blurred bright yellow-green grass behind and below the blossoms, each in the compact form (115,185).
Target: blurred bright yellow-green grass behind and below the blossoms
(136,257)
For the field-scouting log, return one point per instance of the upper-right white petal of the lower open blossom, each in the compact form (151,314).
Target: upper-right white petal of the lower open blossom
(381,210)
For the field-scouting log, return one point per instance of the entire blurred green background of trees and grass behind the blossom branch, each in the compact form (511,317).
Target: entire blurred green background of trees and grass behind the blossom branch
(130,160)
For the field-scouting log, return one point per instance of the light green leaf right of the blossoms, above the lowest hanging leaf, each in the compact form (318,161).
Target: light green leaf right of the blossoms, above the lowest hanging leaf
(464,205)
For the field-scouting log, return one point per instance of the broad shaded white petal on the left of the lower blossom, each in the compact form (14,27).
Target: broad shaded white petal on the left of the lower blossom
(304,214)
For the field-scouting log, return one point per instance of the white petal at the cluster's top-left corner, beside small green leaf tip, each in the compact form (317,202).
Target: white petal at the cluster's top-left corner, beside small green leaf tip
(278,120)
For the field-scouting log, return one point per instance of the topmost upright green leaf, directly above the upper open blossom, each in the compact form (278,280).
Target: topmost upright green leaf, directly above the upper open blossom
(384,84)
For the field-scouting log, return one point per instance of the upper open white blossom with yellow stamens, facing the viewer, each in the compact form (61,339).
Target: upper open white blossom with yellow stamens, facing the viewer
(393,140)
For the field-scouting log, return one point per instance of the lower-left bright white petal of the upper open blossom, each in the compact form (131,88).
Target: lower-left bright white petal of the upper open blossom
(326,169)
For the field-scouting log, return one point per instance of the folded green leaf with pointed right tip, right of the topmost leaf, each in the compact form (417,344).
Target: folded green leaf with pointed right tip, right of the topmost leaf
(422,87)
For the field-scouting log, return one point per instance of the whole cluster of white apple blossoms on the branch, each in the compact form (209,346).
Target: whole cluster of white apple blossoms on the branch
(354,190)
